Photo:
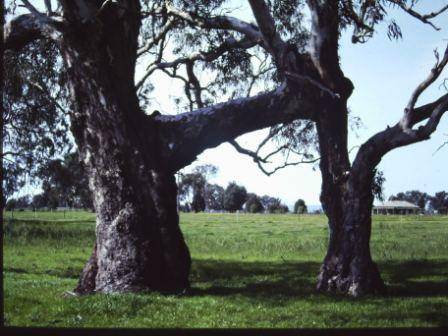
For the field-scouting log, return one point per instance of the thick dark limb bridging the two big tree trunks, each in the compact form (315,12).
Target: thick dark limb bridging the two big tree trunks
(188,134)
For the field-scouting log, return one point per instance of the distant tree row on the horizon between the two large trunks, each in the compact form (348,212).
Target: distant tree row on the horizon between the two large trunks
(197,194)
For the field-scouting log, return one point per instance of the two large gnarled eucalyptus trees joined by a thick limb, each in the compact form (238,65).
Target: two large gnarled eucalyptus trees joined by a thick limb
(132,156)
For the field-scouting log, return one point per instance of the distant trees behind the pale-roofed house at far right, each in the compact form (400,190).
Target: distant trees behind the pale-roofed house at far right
(438,202)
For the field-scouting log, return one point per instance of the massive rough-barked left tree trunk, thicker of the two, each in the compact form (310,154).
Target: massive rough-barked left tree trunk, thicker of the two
(139,245)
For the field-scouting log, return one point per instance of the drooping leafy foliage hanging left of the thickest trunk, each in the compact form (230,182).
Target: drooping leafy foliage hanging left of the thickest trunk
(35,123)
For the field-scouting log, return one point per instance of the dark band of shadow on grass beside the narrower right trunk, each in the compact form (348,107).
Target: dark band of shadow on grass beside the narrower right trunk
(418,278)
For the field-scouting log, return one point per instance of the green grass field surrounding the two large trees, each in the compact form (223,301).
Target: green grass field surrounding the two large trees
(247,271)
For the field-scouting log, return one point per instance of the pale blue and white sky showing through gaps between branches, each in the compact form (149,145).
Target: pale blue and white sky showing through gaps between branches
(384,73)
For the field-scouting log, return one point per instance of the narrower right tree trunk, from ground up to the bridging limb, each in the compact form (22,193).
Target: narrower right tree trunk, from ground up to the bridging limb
(347,201)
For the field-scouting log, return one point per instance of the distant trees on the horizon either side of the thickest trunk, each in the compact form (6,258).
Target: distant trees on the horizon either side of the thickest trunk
(65,184)
